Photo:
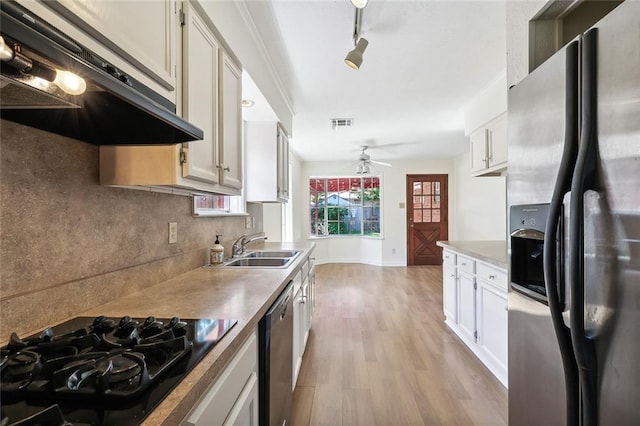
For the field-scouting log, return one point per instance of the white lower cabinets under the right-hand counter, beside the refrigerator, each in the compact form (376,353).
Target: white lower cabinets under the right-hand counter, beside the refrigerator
(475,308)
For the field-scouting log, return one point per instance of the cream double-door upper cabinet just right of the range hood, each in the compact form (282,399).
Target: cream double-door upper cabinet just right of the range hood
(211,99)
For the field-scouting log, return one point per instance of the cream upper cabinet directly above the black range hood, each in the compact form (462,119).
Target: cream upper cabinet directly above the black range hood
(141,33)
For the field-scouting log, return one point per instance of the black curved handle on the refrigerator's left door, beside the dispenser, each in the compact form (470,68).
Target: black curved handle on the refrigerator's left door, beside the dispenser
(553,260)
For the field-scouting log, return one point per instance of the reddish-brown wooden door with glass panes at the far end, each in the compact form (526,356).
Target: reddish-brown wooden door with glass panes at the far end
(427,218)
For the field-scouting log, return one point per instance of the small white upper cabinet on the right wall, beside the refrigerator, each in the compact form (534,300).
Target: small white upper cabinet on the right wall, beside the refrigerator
(489,147)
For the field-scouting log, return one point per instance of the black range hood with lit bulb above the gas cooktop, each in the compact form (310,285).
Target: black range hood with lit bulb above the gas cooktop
(114,109)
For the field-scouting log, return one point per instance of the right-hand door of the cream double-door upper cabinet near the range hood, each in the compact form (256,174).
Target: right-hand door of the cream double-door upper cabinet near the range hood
(231,119)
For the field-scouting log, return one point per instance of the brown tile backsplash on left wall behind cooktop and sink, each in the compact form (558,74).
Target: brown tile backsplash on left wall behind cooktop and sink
(69,244)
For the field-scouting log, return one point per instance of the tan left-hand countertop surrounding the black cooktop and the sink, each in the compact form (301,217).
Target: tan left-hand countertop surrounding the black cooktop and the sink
(208,292)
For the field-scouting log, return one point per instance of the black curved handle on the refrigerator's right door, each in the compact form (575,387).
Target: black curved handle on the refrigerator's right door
(583,180)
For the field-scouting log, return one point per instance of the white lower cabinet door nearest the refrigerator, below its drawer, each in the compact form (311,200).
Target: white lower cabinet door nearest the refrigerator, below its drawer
(492,322)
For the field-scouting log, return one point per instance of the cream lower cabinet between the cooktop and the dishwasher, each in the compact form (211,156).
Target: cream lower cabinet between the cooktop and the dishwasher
(233,398)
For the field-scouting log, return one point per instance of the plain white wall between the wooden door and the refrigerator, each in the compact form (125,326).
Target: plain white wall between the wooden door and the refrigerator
(481,204)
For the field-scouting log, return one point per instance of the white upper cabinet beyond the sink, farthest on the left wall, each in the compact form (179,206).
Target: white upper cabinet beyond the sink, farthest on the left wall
(267,162)
